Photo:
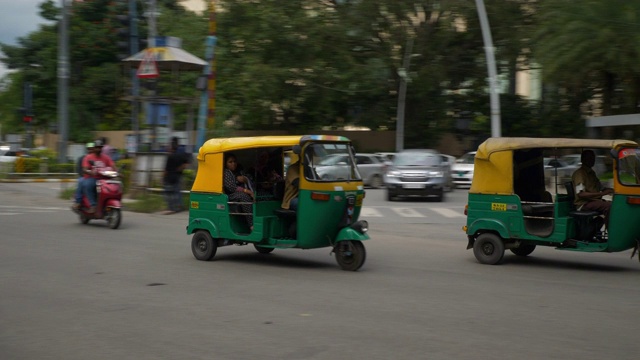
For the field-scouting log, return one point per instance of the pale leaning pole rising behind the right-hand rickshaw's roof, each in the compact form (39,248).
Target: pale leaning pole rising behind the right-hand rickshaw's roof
(491,67)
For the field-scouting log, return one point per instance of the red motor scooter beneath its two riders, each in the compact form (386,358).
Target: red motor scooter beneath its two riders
(109,199)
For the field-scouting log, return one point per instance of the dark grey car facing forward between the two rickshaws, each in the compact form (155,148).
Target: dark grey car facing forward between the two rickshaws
(416,172)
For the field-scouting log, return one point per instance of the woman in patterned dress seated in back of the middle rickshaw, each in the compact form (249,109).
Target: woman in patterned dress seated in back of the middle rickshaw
(236,186)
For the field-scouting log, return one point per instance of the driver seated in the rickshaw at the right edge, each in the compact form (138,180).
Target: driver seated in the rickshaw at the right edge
(588,189)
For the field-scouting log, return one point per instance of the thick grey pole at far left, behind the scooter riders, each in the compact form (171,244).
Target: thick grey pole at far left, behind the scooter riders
(63,82)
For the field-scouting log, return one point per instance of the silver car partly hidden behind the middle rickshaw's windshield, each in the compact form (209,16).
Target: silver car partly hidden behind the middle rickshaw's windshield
(370,167)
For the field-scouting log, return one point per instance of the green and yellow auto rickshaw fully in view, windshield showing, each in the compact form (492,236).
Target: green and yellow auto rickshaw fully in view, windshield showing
(328,208)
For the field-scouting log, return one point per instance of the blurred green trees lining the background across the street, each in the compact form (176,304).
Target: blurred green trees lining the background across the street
(308,64)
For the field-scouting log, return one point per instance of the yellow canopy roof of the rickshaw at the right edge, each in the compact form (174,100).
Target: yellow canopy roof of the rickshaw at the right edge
(494,160)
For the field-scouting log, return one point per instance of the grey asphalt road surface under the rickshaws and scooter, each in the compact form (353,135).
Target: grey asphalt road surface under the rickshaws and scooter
(72,291)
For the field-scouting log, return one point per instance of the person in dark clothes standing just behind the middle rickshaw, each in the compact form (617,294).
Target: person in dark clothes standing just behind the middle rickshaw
(172,178)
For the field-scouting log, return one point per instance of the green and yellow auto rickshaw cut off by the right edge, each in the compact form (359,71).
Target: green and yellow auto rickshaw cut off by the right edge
(511,206)
